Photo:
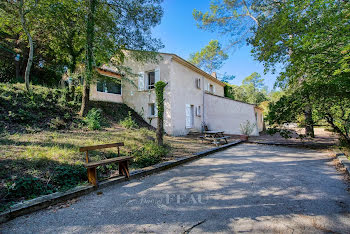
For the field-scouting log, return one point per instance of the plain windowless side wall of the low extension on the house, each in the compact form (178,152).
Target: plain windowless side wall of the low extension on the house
(223,114)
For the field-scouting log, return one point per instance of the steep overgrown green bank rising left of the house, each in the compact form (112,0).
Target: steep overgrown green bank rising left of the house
(48,108)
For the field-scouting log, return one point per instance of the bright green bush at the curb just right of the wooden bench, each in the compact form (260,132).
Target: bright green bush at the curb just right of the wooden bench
(149,155)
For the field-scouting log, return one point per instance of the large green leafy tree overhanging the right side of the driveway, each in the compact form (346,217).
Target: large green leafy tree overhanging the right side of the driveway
(317,34)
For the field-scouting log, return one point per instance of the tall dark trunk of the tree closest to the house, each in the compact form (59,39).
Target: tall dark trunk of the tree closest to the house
(89,56)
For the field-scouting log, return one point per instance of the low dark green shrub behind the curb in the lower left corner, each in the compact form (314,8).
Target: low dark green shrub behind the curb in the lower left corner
(26,187)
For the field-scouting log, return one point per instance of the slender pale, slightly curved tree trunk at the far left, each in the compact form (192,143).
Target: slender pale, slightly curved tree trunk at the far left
(31,46)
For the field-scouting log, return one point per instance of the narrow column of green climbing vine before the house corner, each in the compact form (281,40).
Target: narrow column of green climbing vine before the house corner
(159,88)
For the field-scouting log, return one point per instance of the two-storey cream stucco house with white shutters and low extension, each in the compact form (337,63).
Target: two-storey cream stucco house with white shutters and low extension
(192,97)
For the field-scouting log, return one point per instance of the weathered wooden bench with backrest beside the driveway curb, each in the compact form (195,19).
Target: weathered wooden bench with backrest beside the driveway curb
(123,162)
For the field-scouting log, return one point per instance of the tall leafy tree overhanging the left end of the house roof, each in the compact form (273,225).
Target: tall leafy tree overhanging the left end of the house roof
(119,27)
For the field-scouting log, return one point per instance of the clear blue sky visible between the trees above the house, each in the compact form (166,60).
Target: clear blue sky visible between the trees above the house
(180,35)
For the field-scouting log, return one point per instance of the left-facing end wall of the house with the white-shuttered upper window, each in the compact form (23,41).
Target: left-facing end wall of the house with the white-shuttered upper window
(139,100)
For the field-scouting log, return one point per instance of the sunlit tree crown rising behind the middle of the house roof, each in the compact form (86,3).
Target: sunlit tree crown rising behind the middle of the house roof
(210,58)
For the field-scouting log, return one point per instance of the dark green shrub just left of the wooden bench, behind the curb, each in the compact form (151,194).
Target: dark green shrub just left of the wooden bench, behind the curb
(67,177)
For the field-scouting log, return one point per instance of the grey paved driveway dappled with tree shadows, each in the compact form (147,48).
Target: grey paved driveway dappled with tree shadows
(247,188)
